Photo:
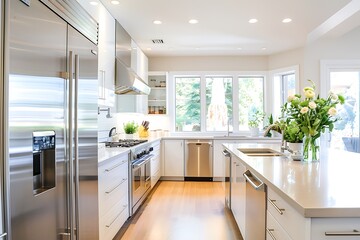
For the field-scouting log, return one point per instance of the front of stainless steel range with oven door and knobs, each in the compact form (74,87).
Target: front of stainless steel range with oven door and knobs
(140,175)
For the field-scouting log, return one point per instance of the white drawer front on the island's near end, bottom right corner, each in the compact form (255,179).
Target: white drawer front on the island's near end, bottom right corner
(320,226)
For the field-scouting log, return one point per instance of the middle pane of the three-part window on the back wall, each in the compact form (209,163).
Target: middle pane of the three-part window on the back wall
(218,103)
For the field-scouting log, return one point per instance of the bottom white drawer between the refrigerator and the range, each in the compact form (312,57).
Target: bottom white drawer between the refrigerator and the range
(111,222)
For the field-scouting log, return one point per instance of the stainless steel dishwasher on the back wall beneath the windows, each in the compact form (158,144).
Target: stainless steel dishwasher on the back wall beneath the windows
(198,160)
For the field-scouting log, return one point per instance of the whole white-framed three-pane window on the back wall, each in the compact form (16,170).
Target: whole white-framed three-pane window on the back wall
(215,102)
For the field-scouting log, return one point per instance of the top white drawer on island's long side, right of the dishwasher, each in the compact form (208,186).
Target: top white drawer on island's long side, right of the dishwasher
(292,221)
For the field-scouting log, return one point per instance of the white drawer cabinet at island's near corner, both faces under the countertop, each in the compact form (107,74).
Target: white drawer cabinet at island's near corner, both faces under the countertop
(285,223)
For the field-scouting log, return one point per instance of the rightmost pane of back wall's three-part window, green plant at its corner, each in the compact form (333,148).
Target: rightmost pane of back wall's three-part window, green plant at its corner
(251,99)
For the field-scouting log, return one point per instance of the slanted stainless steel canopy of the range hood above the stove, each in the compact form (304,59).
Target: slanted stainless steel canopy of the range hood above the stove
(128,82)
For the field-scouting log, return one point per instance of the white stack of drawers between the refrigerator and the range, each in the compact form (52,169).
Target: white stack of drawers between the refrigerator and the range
(113,196)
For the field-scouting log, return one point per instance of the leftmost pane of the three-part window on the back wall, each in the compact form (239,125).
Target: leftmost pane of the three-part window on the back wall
(187,102)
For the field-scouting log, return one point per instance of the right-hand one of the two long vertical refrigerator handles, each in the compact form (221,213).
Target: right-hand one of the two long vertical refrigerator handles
(76,143)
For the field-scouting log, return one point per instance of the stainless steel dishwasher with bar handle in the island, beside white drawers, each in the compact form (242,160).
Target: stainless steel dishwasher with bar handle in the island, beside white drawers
(255,212)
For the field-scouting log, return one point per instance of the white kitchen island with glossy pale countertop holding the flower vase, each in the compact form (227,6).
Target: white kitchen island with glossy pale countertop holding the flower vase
(305,200)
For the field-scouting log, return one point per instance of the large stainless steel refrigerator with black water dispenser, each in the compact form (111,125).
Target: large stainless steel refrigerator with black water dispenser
(51,73)
